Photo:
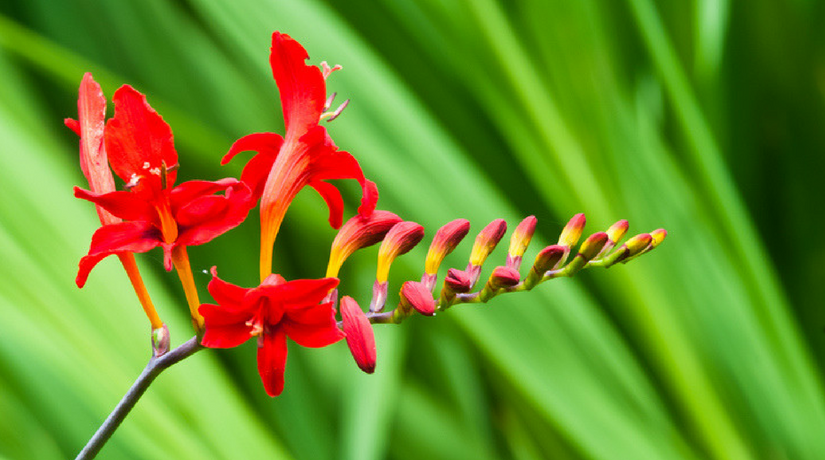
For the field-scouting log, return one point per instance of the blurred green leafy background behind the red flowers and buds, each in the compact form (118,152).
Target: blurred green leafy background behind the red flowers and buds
(704,117)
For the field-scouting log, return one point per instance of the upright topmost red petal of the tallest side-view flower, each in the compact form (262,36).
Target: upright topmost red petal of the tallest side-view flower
(302,87)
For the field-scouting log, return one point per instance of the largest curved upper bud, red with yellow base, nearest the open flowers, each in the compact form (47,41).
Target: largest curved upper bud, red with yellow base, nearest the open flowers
(359,232)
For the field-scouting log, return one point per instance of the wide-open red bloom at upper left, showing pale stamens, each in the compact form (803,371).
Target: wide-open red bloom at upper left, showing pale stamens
(141,151)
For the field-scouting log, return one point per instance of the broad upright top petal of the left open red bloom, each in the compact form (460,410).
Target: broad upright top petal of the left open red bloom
(138,141)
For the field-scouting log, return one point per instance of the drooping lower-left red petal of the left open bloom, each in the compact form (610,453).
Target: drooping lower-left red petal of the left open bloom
(115,238)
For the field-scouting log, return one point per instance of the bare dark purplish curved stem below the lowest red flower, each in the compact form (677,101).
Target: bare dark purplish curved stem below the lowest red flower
(153,369)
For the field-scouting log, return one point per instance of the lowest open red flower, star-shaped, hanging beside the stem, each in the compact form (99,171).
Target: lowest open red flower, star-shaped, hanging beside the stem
(273,311)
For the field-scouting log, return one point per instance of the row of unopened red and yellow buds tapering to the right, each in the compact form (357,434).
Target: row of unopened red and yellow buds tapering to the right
(460,286)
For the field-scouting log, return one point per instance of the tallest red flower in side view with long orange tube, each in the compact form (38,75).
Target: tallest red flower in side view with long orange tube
(306,155)
